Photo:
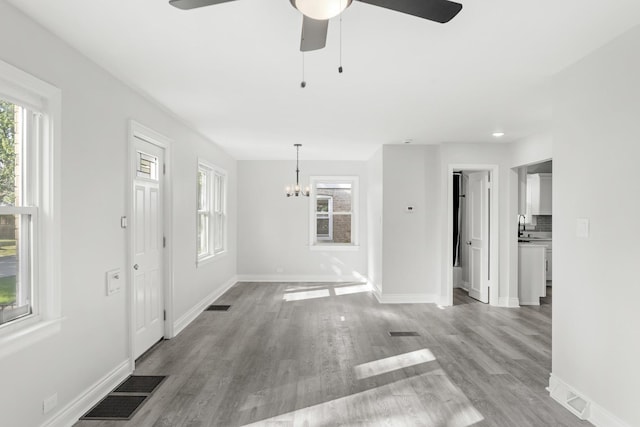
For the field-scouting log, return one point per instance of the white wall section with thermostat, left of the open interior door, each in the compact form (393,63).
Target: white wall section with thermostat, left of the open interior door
(411,255)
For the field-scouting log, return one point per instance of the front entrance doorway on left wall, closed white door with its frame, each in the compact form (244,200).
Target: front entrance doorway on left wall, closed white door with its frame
(148,256)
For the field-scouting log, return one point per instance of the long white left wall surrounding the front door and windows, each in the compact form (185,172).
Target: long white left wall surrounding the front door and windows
(96,108)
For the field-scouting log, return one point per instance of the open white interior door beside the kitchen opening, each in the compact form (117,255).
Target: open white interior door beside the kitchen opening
(478,209)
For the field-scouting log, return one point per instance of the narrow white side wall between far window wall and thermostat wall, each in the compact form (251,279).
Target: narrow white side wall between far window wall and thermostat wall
(374,219)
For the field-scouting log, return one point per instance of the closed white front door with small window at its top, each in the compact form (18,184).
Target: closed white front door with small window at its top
(147,245)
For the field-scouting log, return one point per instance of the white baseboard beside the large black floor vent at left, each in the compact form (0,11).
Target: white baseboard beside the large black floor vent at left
(70,414)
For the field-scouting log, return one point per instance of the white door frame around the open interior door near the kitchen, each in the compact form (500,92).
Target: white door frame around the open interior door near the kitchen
(494,235)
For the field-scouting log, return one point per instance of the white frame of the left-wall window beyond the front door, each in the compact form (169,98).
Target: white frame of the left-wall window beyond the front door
(215,211)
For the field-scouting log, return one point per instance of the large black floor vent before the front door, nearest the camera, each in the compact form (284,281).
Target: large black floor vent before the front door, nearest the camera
(123,402)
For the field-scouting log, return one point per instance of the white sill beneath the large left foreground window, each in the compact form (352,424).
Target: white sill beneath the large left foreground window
(18,336)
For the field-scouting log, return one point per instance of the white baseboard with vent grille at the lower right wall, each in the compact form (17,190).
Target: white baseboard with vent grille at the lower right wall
(565,394)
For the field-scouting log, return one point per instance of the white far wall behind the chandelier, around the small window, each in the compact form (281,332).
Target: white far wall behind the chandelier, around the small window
(273,230)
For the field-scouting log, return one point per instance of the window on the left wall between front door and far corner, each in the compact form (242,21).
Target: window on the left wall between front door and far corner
(211,211)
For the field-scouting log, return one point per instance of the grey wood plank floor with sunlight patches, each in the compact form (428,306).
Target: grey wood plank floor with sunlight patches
(320,355)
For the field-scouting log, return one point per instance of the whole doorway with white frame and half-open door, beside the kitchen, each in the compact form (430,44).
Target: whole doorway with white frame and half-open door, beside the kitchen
(472,268)
